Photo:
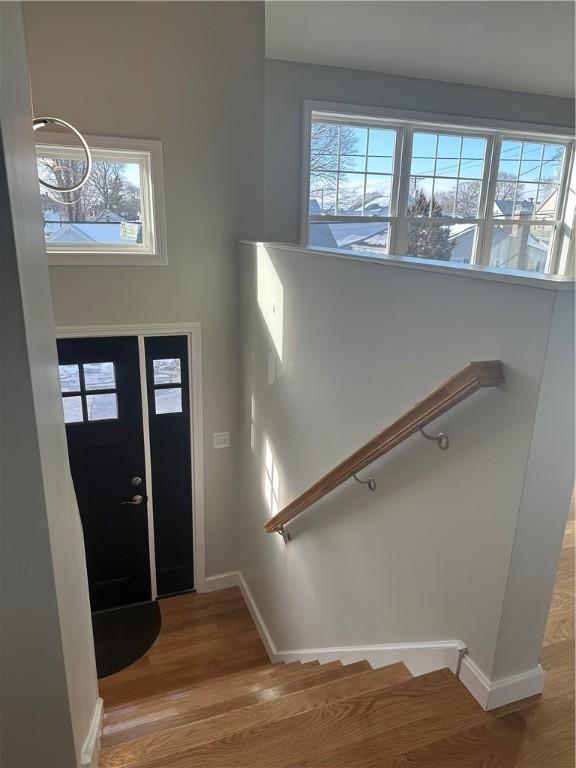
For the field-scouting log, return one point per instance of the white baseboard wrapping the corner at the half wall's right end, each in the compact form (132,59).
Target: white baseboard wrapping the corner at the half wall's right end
(491,694)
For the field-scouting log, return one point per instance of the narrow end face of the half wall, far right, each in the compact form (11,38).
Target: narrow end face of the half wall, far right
(549,479)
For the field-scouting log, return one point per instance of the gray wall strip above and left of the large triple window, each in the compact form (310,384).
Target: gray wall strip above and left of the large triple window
(288,84)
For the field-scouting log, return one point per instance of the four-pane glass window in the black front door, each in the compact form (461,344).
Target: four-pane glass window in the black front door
(88,392)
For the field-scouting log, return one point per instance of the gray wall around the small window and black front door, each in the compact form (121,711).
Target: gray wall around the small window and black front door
(192,75)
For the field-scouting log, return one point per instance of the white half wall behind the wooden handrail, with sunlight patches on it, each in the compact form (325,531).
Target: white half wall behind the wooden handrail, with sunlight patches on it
(428,556)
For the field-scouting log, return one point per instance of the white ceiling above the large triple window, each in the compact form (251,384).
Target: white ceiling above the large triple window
(517,45)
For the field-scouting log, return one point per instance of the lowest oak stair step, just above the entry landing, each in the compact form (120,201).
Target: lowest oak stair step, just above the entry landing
(206,693)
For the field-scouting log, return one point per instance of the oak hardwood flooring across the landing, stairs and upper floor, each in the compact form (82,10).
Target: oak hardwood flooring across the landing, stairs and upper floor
(205,695)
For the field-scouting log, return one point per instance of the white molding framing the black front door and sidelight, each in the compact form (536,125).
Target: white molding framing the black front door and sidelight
(193,333)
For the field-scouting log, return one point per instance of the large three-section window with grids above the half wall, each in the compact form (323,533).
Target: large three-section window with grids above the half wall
(457,195)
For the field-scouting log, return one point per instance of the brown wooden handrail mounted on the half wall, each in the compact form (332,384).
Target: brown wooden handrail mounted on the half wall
(475,376)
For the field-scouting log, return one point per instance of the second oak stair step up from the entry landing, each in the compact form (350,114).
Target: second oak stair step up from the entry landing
(201,703)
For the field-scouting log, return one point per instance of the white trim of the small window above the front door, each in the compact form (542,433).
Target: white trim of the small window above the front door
(153,252)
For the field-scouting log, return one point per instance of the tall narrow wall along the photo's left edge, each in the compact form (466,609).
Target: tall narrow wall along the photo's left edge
(49,689)
